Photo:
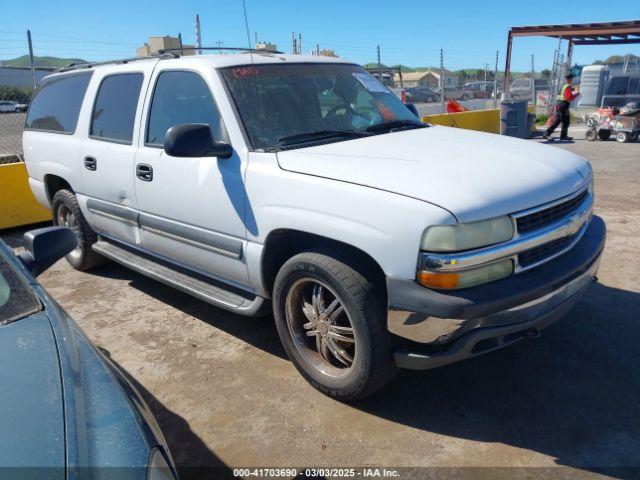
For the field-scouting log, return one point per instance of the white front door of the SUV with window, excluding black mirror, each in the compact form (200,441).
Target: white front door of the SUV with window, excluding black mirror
(191,209)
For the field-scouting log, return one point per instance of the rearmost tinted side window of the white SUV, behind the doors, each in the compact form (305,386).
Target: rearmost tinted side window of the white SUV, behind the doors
(56,106)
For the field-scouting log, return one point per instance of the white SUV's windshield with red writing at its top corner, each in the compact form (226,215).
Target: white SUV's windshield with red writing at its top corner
(276,102)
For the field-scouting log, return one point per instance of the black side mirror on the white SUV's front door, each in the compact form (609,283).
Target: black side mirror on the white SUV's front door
(194,140)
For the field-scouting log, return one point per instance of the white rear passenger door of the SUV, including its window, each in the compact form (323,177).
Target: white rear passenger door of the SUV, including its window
(108,152)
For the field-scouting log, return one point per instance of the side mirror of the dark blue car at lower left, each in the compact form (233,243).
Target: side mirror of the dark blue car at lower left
(45,246)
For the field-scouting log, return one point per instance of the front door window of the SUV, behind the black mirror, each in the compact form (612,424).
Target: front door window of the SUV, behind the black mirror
(179,98)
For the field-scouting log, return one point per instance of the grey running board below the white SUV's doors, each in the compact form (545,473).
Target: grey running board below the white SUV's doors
(201,287)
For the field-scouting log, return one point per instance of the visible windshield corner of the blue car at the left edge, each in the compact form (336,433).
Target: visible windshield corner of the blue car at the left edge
(17,299)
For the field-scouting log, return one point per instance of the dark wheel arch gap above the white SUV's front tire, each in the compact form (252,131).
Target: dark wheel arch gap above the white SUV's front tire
(282,244)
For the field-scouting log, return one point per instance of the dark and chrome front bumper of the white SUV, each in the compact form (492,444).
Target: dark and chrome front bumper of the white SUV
(444,327)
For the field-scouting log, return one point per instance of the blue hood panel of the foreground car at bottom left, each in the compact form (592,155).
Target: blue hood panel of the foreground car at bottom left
(31,397)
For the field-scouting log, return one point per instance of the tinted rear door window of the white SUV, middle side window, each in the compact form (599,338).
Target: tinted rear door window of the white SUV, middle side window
(114,110)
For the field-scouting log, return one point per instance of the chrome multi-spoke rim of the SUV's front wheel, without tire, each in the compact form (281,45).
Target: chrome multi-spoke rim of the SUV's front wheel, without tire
(320,327)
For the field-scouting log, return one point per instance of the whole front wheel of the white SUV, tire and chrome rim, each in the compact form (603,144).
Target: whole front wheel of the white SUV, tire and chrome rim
(332,325)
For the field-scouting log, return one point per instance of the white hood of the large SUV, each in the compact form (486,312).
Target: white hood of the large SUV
(473,175)
